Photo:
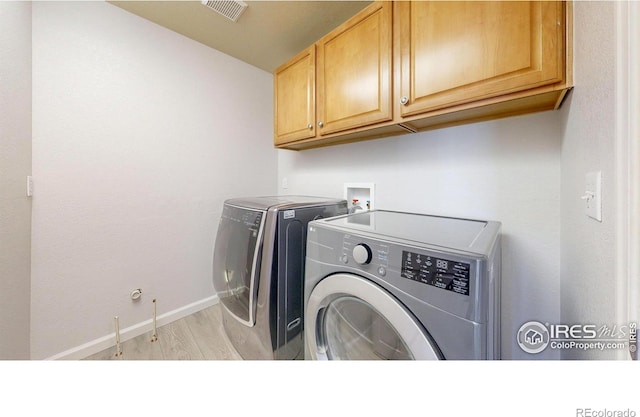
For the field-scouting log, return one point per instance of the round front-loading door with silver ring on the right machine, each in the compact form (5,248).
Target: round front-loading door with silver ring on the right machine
(349,317)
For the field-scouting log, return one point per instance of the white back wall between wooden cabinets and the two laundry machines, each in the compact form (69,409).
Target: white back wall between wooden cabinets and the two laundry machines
(506,170)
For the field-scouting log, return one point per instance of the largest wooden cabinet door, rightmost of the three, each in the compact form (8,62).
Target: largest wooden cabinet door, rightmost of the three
(458,52)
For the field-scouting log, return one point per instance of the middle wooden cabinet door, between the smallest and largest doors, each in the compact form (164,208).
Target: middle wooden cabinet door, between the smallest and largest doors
(354,71)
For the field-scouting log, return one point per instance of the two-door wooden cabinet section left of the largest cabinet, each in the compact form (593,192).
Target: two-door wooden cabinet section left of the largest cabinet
(350,94)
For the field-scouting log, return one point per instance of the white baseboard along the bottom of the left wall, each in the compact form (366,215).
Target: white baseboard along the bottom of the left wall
(102,343)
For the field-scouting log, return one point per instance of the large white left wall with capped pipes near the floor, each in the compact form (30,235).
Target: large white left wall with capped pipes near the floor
(139,134)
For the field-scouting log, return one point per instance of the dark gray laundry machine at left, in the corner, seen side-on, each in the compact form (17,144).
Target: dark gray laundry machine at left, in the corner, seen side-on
(258,271)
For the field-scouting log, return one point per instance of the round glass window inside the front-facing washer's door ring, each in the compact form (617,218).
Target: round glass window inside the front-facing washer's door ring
(353,329)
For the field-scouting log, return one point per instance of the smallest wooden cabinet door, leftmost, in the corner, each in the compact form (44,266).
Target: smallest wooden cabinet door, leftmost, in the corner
(294,102)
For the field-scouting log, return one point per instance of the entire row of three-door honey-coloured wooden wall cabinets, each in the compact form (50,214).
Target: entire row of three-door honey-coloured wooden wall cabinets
(402,67)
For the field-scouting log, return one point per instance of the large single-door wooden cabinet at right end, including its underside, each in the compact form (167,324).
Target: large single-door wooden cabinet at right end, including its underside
(462,62)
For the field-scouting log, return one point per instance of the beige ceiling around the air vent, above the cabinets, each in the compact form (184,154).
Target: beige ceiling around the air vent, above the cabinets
(266,35)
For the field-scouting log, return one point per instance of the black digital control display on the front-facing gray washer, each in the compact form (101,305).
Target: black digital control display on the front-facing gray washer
(442,273)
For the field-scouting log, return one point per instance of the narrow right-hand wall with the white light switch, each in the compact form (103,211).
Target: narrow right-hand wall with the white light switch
(589,286)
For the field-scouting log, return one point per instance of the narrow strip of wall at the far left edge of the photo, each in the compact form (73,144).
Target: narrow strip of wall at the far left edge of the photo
(15,165)
